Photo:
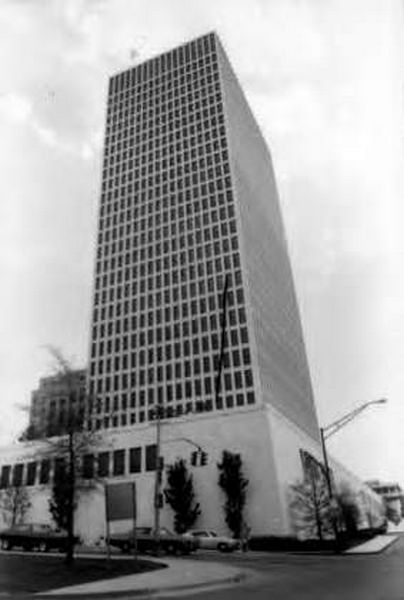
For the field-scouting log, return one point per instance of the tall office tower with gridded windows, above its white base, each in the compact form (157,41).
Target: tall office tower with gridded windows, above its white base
(194,303)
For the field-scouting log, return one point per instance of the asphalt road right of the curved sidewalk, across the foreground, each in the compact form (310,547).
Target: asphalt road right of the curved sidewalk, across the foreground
(315,577)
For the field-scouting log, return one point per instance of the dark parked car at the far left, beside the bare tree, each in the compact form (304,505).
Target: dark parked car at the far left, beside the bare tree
(34,535)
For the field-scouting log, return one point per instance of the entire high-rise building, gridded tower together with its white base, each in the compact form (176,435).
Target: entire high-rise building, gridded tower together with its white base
(194,309)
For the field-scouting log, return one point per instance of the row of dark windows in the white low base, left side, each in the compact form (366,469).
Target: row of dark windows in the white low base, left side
(103,464)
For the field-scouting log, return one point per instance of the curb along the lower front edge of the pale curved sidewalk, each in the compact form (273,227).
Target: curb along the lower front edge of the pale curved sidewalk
(148,591)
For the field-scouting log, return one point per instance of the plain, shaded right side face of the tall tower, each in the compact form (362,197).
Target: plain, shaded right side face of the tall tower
(280,350)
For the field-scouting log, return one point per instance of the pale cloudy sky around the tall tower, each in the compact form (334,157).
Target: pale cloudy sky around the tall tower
(325,82)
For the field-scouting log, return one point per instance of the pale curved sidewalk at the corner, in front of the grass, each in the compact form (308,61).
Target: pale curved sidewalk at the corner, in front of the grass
(182,574)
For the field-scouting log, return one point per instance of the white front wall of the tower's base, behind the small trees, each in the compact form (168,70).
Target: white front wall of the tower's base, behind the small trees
(246,431)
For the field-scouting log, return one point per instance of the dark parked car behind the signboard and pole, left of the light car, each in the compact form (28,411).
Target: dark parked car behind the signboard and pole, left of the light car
(170,542)
